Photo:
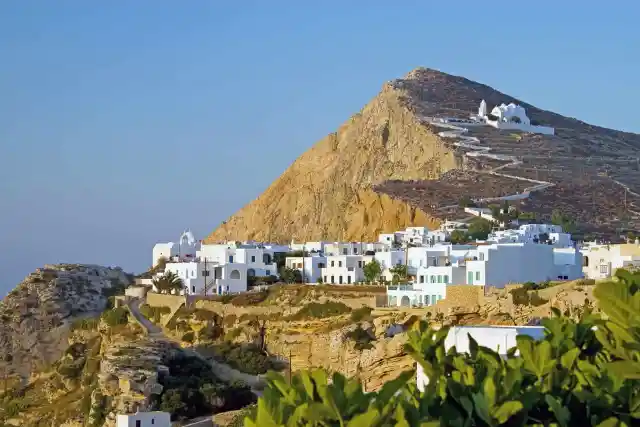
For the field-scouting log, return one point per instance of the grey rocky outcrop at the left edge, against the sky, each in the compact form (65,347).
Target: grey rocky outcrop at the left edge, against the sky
(36,315)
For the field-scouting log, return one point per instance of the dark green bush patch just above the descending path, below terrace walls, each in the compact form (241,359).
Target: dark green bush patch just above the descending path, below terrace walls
(245,358)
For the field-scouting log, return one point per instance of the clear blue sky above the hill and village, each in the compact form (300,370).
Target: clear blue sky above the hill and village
(122,123)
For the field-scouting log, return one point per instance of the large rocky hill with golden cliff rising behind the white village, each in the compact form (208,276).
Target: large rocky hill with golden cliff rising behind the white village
(387,167)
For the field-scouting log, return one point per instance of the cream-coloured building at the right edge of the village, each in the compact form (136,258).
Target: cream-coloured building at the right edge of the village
(601,261)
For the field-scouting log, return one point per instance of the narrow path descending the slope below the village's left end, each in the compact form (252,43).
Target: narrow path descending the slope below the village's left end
(225,372)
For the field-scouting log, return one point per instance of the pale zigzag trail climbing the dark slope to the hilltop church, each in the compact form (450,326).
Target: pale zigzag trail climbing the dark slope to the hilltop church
(471,143)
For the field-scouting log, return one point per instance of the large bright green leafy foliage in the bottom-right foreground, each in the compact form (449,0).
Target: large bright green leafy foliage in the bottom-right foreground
(579,374)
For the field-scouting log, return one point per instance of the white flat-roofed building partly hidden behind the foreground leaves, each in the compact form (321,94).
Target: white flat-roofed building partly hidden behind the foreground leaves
(497,338)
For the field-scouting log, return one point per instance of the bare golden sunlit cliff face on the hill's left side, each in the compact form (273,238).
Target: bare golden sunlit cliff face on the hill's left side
(326,193)
